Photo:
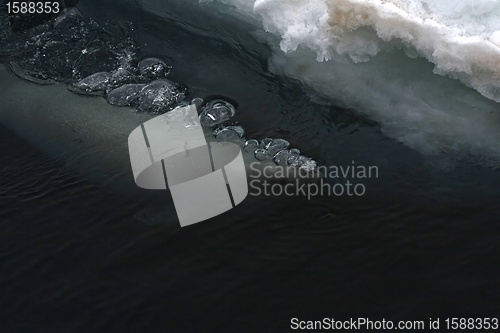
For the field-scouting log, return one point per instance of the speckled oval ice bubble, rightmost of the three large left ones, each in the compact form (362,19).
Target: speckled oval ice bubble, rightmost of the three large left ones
(159,96)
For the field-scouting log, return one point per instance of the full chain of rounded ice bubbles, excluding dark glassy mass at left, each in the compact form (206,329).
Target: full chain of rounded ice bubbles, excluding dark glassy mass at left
(125,88)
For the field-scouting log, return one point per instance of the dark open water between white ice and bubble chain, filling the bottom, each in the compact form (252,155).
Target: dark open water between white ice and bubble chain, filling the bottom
(423,242)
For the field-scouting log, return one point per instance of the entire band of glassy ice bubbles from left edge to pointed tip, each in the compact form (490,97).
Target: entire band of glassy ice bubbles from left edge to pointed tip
(93,61)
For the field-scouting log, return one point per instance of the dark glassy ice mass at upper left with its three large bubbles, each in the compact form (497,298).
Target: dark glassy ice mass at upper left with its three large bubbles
(91,60)
